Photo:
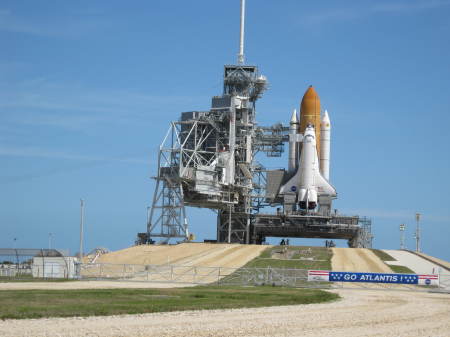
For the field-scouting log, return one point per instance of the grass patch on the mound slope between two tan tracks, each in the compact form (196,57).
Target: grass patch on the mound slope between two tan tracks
(296,258)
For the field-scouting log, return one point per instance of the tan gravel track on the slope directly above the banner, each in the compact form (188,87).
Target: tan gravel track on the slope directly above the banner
(358,260)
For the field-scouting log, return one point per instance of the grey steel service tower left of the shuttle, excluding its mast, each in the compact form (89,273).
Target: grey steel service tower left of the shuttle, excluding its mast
(207,160)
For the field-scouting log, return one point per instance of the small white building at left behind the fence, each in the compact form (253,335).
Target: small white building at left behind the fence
(54,267)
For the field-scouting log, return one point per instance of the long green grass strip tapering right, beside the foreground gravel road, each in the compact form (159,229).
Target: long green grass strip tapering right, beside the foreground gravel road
(19,304)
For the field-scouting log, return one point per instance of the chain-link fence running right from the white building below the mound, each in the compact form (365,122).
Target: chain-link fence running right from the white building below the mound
(225,276)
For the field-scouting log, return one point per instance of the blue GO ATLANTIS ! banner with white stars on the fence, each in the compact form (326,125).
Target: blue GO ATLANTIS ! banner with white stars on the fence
(337,276)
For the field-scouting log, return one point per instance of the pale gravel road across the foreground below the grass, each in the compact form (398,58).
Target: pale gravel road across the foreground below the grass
(360,313)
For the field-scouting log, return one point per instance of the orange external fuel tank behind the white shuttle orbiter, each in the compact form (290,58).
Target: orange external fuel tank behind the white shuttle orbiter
(310,114)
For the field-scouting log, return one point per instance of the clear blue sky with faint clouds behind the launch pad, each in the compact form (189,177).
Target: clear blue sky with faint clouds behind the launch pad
(87,90)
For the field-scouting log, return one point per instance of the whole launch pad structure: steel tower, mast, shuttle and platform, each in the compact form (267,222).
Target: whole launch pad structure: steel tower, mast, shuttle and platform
(208,160)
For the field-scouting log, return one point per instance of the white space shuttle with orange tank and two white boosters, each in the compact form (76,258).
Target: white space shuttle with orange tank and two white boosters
(308,187)
